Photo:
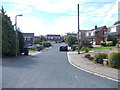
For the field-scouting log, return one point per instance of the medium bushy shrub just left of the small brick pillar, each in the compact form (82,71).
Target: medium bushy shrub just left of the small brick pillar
(98,58)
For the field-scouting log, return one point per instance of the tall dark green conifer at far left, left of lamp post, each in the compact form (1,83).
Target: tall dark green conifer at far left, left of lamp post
(8,35)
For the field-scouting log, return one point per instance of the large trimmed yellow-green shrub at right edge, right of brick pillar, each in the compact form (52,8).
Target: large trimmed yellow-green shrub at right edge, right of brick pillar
(114,59)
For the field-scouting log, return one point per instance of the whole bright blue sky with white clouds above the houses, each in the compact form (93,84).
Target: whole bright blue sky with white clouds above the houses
(60,16)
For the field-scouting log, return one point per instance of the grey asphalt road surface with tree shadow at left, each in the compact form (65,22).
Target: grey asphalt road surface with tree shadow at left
(49,69)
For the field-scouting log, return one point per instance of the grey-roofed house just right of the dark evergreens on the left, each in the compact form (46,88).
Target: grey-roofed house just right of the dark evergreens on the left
(29,38)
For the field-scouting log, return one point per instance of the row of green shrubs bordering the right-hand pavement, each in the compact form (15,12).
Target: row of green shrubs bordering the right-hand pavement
(113,58)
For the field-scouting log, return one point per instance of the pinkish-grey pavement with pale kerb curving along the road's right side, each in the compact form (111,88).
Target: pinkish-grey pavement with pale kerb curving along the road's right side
(79,61)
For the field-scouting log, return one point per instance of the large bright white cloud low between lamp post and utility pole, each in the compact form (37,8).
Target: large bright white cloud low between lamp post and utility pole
(61,25)
